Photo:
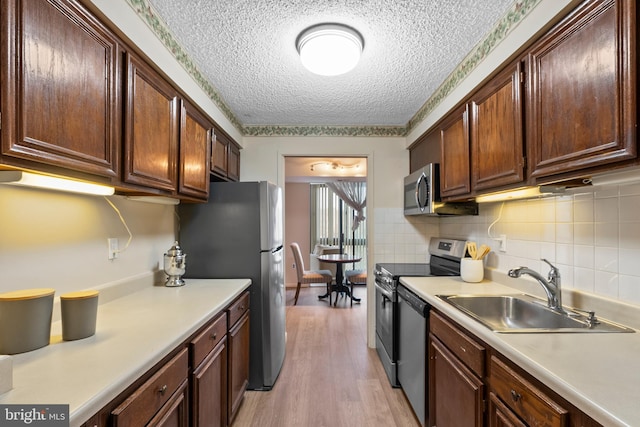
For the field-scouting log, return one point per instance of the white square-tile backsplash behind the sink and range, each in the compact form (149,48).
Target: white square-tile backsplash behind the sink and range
(592,236)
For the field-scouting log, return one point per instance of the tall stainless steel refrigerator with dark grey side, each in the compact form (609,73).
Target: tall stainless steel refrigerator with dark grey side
(238,233)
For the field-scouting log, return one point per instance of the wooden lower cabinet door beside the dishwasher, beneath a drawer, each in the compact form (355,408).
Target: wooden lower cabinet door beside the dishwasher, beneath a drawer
(455,394)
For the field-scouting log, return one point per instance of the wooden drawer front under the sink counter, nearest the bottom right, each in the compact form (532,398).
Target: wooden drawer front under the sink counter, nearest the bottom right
(523,398)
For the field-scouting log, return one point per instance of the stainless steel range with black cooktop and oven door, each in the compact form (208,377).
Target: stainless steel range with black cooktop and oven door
(444,260)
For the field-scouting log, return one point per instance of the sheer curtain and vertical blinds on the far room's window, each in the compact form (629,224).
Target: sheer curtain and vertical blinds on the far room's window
(325,216)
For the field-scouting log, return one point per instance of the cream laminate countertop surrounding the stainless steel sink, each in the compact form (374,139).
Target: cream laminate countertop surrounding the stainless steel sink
(597,372)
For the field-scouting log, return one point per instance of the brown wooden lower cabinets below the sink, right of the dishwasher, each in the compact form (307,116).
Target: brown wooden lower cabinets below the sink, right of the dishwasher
(471,384)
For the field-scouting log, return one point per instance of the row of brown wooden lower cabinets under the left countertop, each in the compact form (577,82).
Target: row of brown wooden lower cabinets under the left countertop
(200,384)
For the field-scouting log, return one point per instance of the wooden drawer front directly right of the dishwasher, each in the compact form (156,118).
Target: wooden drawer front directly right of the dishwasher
(466,349)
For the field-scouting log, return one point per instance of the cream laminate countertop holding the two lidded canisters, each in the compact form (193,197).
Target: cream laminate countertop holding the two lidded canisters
(133,333)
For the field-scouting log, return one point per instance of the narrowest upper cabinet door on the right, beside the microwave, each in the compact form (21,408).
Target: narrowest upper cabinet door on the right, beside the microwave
(454,143)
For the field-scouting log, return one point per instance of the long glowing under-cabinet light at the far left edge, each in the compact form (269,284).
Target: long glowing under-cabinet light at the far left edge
(28,179)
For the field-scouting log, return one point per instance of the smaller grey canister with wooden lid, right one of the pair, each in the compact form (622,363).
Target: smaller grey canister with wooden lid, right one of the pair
(79,313)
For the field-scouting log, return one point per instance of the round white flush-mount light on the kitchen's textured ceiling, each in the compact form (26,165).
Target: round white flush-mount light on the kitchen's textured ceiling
(329,49)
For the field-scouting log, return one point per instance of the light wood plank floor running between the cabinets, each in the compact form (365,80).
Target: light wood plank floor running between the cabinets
(330,377)
